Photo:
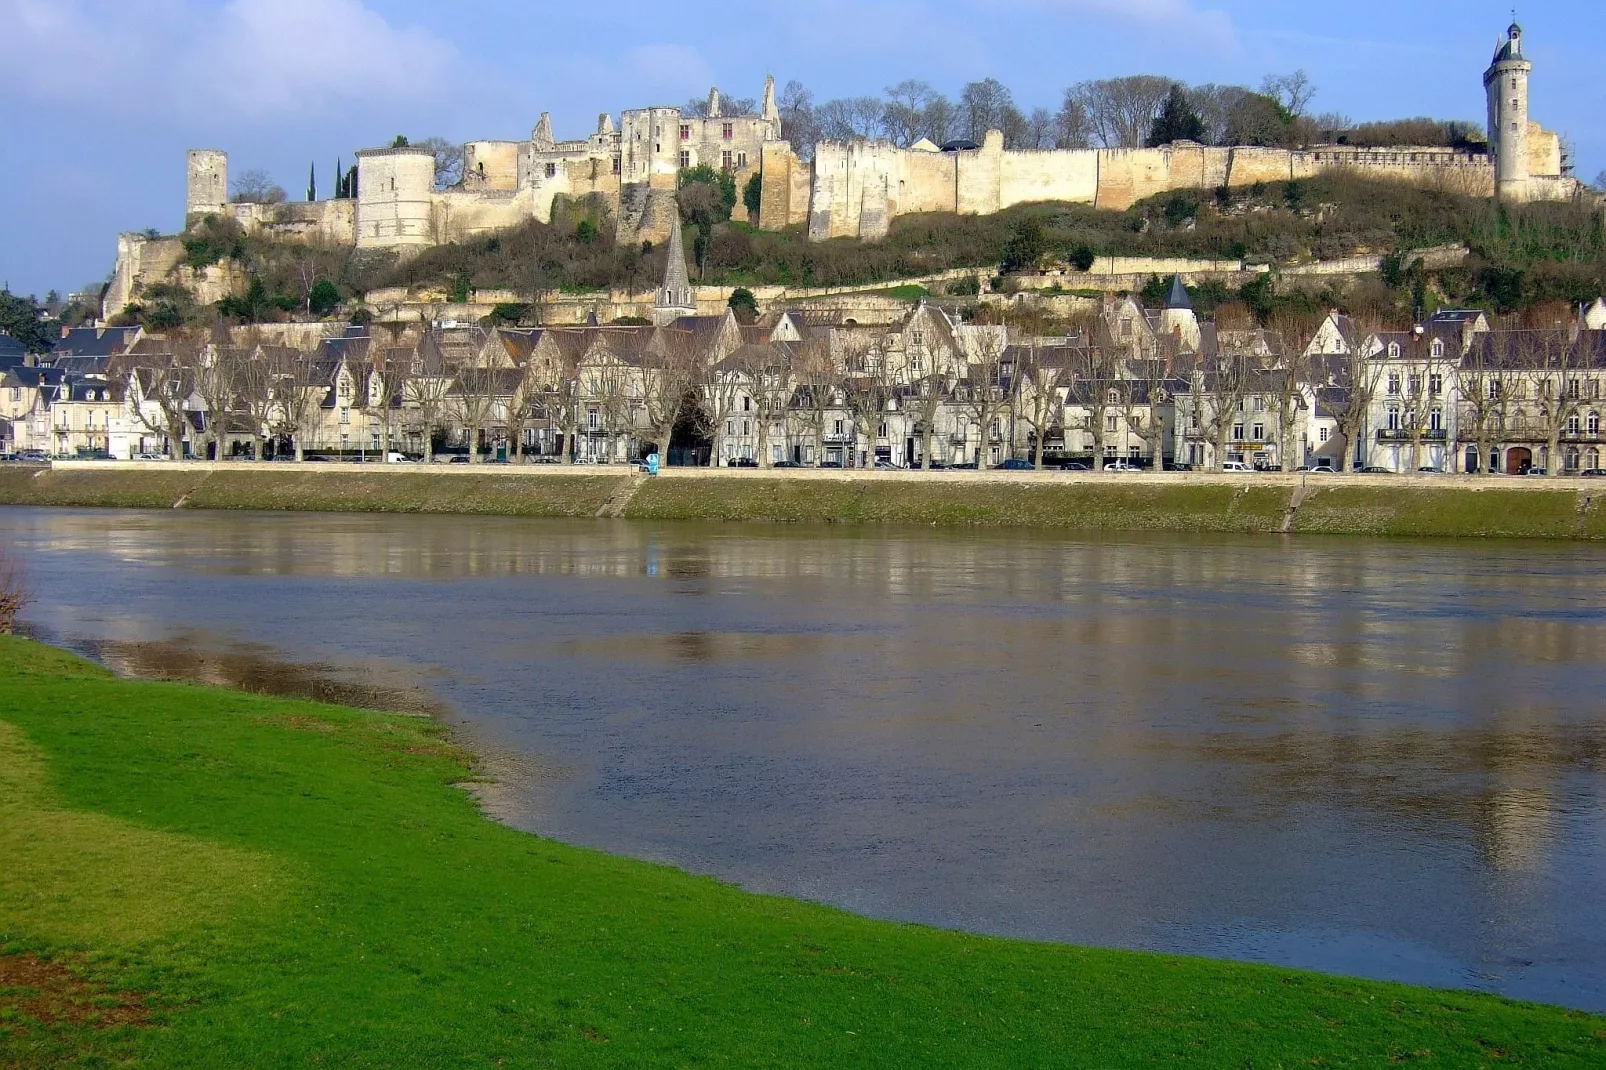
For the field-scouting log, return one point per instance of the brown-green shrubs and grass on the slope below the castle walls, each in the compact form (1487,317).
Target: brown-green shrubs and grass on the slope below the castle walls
(1520,256)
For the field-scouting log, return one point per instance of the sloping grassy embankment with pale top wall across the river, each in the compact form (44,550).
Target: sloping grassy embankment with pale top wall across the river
(1443,507)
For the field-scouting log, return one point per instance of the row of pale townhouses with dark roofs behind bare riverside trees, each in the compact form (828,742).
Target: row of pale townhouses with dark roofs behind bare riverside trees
(1144,386)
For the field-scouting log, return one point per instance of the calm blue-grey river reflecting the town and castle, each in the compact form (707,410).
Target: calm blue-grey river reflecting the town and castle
(1384,759)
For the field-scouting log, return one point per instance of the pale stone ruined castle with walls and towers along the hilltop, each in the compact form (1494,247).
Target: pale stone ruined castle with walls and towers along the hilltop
(847,190)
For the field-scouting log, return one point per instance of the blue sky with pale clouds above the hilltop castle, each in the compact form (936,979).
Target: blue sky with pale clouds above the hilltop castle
(102,99)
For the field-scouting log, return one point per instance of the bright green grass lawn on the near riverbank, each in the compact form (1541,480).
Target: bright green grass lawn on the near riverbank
(197,878)
